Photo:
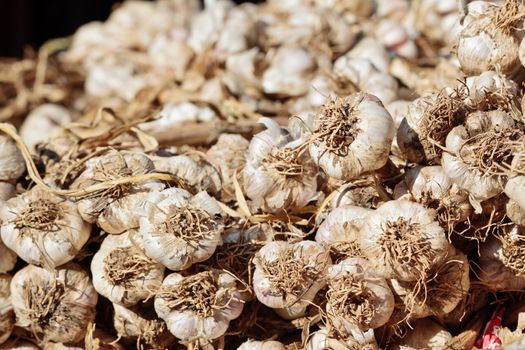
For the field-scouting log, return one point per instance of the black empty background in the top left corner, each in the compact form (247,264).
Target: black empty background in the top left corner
(32,22)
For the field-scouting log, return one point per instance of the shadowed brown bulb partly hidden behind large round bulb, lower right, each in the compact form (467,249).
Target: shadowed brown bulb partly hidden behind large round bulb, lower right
(444,287)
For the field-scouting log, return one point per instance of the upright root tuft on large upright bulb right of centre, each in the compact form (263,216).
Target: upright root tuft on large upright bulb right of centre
(337,128)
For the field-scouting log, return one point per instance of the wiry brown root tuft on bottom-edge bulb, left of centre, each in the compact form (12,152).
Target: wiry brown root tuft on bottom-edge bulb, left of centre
(198,294)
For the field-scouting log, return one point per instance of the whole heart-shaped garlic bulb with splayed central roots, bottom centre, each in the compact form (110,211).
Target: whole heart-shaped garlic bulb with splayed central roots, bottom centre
(287,276)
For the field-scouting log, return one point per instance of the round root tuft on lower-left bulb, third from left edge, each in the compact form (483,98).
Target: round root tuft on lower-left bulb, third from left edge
(123,266)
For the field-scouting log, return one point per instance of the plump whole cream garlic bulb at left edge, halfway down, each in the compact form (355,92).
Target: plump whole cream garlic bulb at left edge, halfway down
(43,229)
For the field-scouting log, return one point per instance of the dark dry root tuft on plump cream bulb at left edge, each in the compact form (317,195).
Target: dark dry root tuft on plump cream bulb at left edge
(41,214)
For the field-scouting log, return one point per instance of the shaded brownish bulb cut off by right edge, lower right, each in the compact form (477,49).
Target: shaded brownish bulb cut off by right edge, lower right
(501,259)
